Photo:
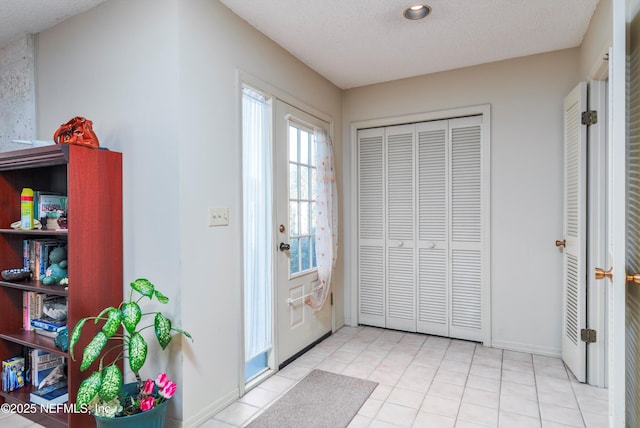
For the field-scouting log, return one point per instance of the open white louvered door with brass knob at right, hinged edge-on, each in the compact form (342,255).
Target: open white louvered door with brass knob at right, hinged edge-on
(574,269)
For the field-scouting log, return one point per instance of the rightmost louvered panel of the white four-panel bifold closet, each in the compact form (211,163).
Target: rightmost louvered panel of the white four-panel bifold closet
(466,231)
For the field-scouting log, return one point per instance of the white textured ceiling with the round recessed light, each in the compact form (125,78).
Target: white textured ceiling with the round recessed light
(359,42)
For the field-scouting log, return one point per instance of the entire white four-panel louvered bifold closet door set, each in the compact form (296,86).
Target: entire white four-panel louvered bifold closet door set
(422,211)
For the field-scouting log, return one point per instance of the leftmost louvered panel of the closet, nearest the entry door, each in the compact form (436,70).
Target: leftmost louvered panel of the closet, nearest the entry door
(371,211)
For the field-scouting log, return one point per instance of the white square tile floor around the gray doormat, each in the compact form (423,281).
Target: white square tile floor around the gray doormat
(428,381)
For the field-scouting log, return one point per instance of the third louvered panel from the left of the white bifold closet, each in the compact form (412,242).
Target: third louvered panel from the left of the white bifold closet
(432,227)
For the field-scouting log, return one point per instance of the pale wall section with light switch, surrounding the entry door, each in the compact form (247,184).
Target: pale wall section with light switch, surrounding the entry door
(214,45)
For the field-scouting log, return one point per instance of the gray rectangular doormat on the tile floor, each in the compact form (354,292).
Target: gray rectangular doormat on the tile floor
(320,400)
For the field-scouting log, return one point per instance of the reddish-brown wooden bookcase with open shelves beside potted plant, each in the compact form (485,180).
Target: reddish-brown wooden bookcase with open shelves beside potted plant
(92,180)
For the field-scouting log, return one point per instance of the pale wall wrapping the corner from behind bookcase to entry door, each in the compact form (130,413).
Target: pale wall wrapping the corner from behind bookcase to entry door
(159,80)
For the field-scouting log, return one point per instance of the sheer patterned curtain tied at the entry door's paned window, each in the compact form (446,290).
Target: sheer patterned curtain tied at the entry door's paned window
(326,216)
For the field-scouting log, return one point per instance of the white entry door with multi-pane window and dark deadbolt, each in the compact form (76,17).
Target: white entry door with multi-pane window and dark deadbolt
(298,325)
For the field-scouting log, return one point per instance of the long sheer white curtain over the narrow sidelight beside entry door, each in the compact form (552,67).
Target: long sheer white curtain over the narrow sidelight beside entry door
(257,203)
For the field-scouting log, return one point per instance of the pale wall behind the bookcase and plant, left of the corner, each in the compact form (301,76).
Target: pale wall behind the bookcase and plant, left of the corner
(102,66)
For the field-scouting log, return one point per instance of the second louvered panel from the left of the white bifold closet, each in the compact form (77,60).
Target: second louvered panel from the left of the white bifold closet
(401,289)
